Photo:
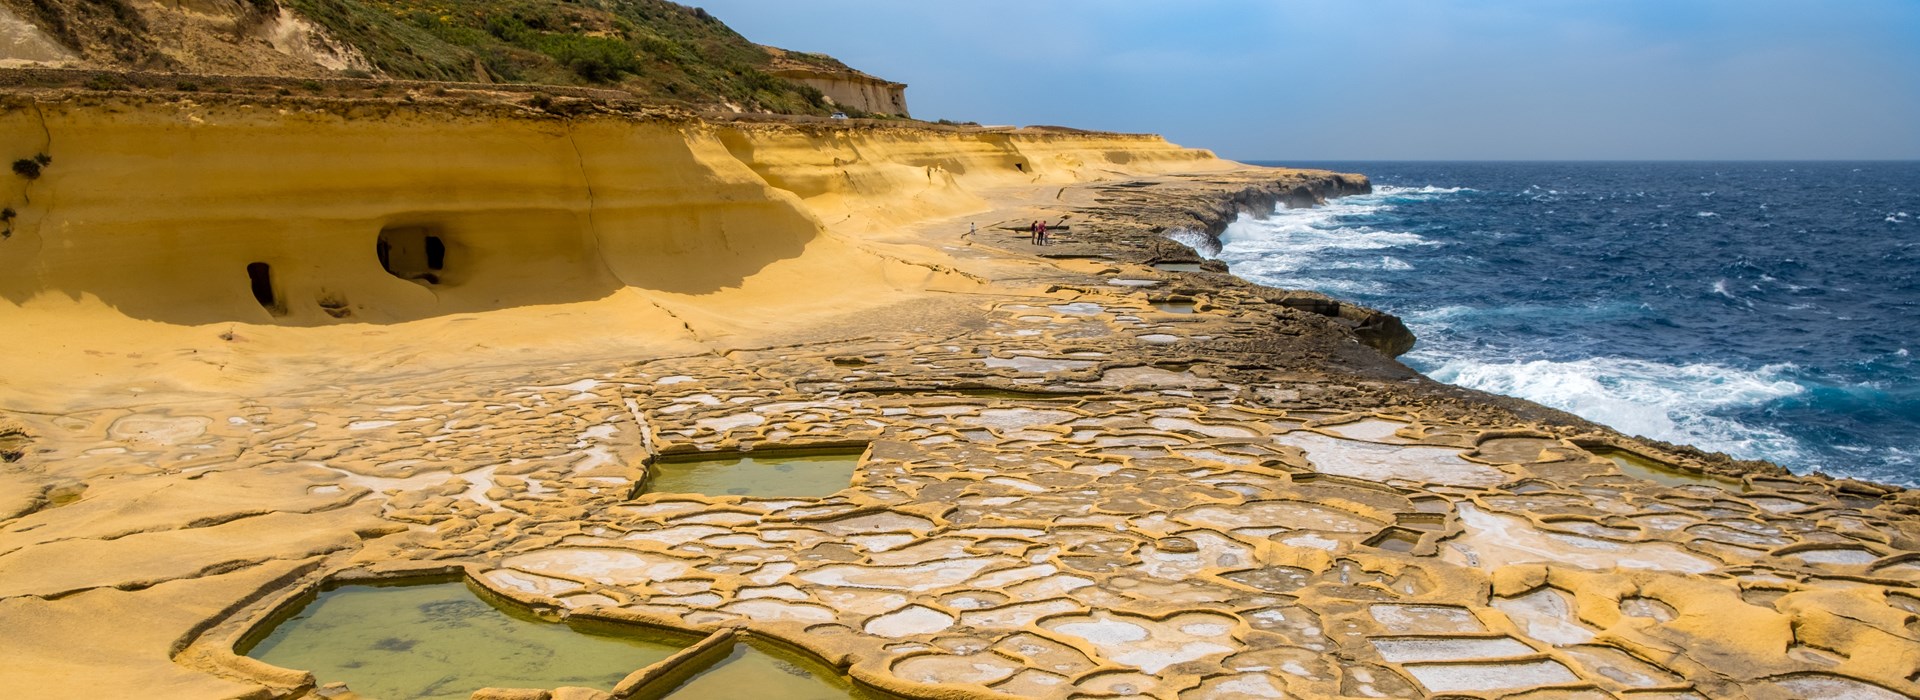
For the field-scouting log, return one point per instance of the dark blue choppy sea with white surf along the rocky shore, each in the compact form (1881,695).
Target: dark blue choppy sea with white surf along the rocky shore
(1760,310)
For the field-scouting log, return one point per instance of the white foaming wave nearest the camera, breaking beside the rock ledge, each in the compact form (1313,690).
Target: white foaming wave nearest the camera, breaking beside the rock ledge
(1679,404)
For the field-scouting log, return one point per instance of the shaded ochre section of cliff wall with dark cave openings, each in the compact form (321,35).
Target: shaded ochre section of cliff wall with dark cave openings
(356,225)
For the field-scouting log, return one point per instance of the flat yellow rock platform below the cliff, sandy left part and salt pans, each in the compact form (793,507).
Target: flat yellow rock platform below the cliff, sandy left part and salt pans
(1068,490)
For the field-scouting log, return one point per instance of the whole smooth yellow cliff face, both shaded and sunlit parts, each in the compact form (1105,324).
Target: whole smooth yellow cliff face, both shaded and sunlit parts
(318,214)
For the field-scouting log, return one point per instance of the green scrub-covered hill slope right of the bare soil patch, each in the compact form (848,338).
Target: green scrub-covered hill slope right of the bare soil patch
(646,47)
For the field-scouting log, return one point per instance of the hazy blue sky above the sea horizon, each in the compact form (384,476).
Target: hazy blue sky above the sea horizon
(1399,80)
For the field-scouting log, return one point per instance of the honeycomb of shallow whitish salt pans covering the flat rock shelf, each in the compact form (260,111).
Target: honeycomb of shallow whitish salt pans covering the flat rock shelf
(1055,536)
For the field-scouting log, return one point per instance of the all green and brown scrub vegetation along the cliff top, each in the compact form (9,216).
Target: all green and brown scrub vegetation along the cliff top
(652,49)
